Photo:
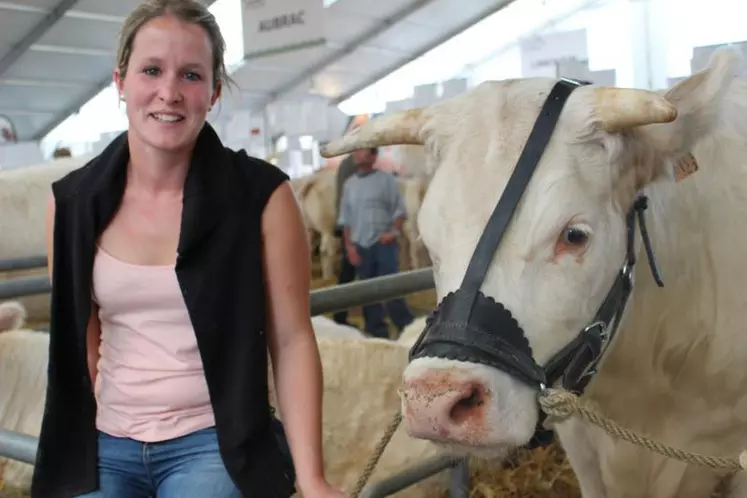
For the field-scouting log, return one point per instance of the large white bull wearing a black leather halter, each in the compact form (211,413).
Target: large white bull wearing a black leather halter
(676,370)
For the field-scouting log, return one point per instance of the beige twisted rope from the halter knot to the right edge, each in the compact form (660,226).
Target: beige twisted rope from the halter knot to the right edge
(561,404)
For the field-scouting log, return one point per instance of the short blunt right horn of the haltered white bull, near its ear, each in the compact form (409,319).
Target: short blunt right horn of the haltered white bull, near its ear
(623,108)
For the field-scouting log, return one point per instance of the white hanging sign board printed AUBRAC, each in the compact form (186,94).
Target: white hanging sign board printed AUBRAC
(276,26)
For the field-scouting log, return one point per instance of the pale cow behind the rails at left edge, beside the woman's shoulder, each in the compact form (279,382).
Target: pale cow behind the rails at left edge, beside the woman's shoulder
(23,200)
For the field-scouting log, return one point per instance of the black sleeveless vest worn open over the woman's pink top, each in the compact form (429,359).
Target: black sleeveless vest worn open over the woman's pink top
(219,269)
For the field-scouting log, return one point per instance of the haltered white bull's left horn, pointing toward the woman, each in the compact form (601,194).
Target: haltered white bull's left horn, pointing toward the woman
(402,127)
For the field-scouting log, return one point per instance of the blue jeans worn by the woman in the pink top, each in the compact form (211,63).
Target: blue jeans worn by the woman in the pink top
(184,467)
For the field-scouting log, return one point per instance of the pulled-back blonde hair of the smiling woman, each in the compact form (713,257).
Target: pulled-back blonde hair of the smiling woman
(190,11)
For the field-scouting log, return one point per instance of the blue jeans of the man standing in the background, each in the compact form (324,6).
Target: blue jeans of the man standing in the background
(377,261)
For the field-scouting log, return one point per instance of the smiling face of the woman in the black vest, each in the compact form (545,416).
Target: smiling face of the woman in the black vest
(168,87)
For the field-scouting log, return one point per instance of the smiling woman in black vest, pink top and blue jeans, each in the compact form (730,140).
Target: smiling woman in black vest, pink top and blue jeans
(175,263)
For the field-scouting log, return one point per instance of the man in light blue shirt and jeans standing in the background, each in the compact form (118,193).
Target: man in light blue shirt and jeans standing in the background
(372,212)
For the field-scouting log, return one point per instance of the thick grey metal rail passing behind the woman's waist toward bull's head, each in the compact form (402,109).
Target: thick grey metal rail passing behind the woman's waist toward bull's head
(324,300)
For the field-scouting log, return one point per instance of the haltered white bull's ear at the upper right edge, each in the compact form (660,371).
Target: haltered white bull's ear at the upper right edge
(701,102)
